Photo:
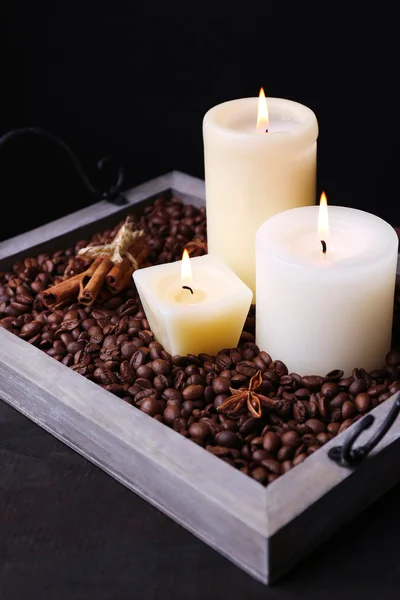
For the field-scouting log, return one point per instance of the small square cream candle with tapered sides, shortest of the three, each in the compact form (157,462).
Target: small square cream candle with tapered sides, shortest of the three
(194,306)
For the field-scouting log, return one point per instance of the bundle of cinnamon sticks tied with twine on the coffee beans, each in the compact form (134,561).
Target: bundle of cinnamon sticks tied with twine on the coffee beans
(109,273)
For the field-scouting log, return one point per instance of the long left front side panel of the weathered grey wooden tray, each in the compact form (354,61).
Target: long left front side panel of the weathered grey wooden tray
(204,494)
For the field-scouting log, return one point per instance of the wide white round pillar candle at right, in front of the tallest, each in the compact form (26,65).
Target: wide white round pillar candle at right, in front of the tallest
(325,293)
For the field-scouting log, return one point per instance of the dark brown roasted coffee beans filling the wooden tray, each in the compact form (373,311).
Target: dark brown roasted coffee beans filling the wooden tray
(111,344)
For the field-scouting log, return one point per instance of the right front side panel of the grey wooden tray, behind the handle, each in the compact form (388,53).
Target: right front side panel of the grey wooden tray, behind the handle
(321,496)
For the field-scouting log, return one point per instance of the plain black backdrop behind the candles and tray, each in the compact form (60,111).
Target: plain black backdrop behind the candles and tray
(112,81)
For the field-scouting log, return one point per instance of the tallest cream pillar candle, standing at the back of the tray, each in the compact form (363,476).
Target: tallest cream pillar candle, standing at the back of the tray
(251,175)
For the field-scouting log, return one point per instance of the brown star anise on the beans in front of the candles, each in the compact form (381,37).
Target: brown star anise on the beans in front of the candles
(243,398)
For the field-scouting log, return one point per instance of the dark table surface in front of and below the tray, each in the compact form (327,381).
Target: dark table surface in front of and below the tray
(69,531)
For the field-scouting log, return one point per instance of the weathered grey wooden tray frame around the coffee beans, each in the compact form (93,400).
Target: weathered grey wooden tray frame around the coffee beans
(263,530)
